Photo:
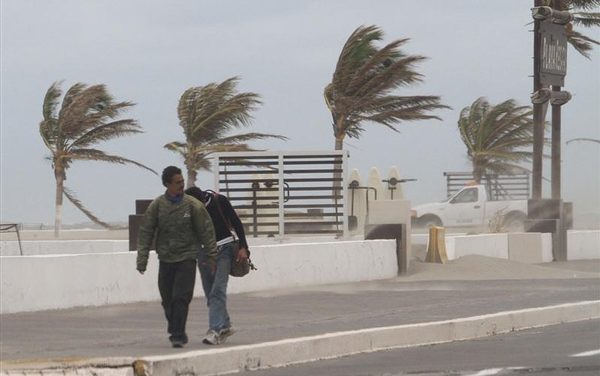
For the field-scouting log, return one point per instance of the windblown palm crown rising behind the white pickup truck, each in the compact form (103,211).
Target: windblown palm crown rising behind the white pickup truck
(497,137)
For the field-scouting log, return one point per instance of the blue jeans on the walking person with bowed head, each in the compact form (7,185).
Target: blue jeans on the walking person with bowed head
(215,286)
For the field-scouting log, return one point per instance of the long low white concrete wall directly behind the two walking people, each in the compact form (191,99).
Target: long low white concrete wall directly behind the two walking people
(32,283)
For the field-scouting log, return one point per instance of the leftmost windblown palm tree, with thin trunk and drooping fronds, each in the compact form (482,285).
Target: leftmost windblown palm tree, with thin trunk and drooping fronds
(88,115)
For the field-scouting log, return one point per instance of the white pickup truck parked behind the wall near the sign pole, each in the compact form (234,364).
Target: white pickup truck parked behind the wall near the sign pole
(471,207)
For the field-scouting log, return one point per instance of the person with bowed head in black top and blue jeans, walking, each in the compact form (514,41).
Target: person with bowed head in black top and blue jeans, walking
(228,230)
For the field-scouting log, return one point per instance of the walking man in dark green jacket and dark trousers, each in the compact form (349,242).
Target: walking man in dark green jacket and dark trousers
(183,228)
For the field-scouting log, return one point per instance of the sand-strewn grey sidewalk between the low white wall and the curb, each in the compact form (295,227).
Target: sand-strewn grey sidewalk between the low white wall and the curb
(467,287)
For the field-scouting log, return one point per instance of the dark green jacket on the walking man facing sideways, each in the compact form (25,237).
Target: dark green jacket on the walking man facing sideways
(182,230)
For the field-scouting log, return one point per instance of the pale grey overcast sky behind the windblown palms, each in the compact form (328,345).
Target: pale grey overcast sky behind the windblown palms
(149,52)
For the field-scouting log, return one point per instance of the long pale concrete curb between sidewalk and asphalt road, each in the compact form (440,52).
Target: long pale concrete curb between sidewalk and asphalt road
(330,345)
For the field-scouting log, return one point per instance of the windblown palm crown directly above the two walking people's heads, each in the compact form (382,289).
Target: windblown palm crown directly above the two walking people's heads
(207,114)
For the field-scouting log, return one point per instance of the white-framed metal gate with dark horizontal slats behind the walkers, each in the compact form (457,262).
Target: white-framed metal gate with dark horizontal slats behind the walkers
(277,194)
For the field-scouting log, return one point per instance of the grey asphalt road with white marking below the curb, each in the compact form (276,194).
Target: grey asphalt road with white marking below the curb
(565,349)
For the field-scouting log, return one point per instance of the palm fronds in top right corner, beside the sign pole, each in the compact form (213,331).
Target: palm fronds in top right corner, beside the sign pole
(581,17)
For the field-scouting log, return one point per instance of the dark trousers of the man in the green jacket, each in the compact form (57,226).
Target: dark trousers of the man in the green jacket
(176,285)
